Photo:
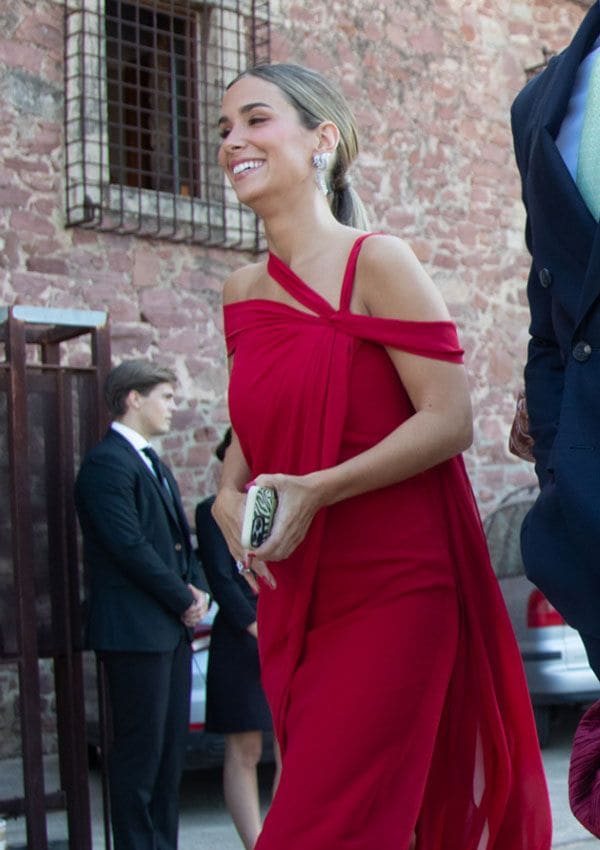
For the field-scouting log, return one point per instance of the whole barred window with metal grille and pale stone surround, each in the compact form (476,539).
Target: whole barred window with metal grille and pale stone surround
(143,85)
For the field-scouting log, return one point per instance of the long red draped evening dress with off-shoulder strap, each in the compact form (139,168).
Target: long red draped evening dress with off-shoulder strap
(395,683)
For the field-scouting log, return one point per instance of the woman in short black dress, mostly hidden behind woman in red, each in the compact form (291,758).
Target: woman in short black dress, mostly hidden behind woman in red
(235,703)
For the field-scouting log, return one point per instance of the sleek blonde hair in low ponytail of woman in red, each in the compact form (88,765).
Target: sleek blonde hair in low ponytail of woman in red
(315,101)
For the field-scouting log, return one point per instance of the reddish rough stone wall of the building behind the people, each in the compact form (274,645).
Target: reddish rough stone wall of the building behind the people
(431,83)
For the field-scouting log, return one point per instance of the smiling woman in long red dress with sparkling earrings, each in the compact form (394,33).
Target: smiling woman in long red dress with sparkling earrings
(393,676)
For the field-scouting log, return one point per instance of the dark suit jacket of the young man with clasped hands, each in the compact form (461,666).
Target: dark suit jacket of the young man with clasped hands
(137,551)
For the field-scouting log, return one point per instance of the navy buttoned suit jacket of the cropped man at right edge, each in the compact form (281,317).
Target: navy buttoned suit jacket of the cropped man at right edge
(561,534)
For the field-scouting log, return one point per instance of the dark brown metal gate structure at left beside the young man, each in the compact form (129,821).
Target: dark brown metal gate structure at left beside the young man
(52,367)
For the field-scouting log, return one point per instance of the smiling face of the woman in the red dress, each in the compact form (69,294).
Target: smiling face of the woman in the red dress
(264,146)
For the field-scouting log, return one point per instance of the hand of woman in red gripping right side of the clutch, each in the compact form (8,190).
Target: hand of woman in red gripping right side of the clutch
(299,499)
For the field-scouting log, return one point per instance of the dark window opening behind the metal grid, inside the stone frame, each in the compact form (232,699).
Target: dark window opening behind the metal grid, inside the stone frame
(151,99)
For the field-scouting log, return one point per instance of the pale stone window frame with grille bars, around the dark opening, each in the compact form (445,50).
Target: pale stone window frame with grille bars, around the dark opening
(221,51)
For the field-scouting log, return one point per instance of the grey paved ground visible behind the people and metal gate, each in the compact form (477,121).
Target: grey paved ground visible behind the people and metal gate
(205,824)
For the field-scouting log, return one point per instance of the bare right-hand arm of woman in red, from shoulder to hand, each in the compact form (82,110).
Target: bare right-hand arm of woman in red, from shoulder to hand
(391,284)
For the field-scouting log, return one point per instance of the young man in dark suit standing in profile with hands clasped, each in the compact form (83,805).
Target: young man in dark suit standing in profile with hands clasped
(146,594)
